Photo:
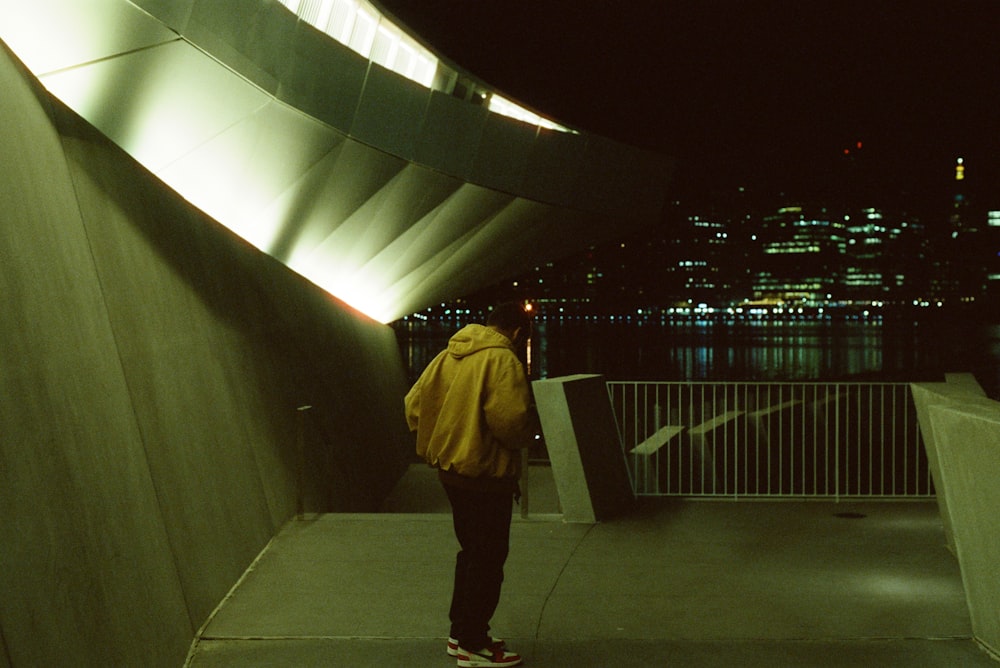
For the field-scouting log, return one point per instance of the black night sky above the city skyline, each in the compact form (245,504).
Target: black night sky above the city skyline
(766,95)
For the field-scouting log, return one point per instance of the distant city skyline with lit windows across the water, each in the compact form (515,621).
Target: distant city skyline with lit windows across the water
(772,261)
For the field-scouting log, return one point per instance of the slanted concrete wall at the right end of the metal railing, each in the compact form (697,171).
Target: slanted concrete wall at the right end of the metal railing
(961,429)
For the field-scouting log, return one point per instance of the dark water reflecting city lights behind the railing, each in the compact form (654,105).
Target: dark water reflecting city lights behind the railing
(739,351)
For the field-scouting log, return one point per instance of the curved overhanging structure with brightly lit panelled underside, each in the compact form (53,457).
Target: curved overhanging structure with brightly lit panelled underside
(367,221)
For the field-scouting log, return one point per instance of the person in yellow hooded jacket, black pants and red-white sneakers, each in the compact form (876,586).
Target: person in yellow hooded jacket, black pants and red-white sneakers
(472,411)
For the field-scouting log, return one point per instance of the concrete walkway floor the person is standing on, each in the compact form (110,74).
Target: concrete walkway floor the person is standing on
(678,583)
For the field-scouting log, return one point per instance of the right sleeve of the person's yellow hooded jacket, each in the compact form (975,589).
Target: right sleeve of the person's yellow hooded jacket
(507,404)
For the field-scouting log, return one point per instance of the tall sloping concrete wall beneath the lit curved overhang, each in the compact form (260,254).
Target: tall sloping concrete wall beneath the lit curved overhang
(151,365)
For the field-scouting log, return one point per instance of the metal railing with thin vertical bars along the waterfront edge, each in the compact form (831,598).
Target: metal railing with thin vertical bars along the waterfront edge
(827,440)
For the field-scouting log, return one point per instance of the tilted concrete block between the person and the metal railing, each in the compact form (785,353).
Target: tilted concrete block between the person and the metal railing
(587,460)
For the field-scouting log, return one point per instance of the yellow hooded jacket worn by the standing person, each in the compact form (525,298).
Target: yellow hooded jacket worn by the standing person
(471,407)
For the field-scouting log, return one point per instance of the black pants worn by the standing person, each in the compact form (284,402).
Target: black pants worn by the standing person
(482,526)
